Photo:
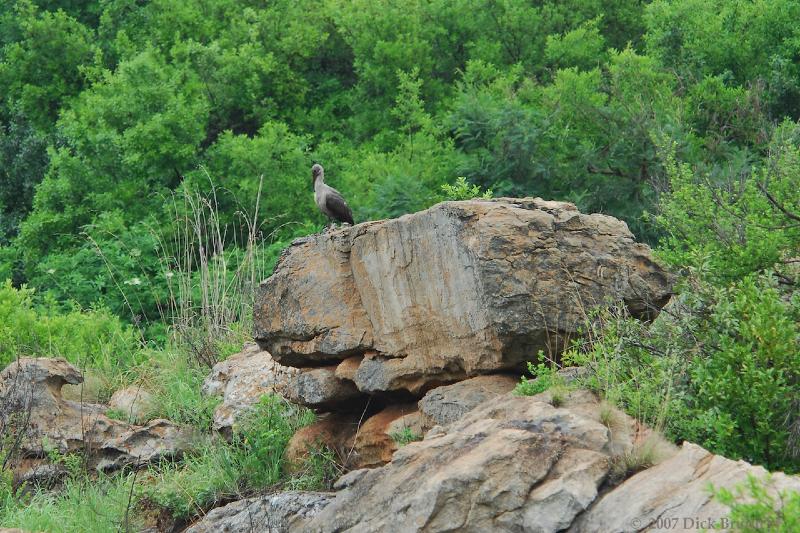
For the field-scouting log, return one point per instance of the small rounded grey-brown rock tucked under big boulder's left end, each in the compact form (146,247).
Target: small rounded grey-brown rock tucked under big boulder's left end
(319,388)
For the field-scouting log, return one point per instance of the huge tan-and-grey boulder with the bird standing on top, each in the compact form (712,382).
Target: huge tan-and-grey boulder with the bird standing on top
(458,290)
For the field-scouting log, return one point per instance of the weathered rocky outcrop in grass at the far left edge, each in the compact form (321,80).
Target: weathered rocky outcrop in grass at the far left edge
(32,406)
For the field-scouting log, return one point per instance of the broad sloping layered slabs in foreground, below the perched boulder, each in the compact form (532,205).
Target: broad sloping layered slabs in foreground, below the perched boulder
(516,464)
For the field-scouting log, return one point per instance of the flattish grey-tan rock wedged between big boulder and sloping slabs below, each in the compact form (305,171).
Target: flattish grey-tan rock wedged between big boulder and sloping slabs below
(449,403)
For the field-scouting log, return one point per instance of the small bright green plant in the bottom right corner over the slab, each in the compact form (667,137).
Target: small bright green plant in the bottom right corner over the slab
(757,509)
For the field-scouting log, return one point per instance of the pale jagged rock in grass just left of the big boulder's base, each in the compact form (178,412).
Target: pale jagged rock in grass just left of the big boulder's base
(242,380)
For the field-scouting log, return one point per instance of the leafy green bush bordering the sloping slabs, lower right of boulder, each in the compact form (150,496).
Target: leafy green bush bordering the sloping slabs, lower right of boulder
(721,369)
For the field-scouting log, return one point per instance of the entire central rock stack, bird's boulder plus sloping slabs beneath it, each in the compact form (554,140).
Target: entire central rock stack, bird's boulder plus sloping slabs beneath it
(422,323)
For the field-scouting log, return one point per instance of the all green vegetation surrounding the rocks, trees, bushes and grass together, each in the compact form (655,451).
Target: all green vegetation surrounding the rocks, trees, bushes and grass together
(155,156)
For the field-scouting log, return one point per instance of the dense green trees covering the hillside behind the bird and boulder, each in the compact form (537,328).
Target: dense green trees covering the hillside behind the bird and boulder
(109,108)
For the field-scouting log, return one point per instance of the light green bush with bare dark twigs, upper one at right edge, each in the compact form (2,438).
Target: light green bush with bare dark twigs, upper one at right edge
(730,225)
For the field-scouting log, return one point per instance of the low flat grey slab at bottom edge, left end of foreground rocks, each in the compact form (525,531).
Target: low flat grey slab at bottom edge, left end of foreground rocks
(274,513)
